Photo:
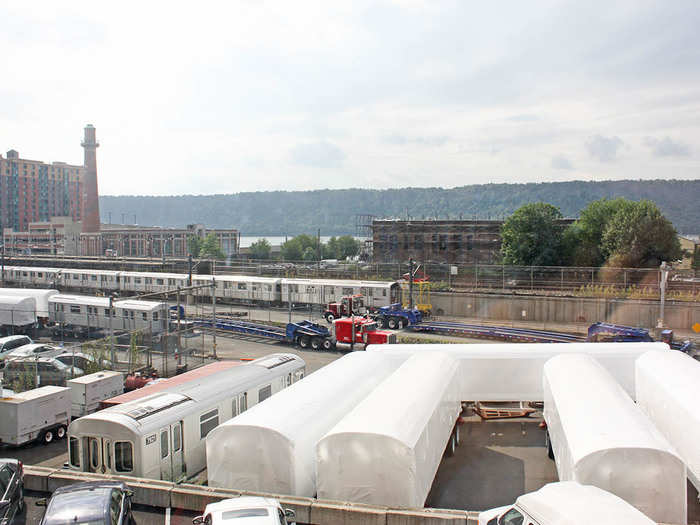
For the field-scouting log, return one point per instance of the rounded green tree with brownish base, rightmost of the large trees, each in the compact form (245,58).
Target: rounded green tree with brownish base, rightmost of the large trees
(638,235)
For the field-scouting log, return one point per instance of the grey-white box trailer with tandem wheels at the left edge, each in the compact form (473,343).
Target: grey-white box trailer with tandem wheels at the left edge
(42,413)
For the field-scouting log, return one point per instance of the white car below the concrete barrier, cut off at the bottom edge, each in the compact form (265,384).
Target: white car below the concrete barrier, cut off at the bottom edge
(266,510)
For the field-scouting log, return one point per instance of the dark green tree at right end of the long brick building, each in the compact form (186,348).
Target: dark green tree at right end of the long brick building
(533,236)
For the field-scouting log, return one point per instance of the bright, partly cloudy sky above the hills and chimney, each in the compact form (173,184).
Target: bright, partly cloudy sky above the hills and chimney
(222,97)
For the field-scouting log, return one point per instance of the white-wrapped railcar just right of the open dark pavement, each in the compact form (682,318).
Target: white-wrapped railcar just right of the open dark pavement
(600,437)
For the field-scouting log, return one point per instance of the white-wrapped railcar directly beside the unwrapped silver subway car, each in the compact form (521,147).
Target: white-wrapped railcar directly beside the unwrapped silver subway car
(272,446)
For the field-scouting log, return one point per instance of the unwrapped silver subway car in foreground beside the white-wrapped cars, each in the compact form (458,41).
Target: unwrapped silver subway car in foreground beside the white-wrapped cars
(163,436)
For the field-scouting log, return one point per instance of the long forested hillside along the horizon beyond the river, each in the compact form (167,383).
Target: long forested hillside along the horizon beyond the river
(333,211)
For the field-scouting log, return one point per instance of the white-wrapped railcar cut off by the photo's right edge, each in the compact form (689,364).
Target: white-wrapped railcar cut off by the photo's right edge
(668,391)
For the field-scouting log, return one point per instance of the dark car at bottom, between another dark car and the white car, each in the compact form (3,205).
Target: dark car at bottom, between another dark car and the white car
(93,503)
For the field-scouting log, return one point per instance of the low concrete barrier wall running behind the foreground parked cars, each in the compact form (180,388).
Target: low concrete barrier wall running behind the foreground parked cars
(164,494)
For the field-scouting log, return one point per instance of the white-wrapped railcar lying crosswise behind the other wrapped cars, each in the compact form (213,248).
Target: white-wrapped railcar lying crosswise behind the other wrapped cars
(513,372)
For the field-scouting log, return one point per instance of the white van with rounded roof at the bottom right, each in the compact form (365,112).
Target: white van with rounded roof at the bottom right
(566,503)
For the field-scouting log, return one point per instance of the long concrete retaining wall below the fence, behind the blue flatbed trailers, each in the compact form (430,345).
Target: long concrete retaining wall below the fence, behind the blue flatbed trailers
(677,315)
